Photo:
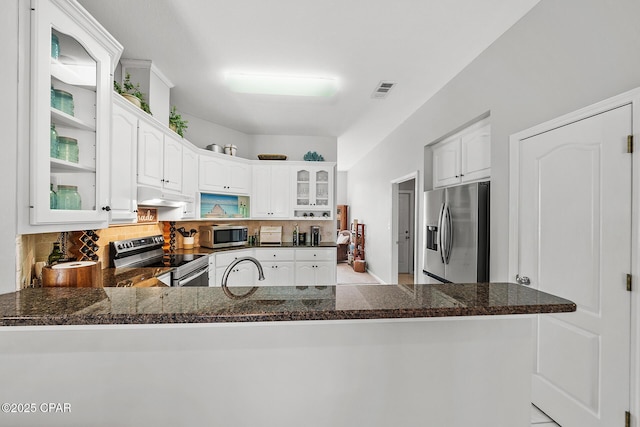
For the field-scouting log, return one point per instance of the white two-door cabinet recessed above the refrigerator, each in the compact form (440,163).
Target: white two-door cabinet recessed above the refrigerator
(464,157)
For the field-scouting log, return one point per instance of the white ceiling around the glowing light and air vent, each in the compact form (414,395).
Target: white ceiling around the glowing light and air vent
(419,44)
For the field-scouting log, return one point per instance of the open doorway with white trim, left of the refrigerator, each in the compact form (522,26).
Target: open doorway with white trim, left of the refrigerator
(404,215)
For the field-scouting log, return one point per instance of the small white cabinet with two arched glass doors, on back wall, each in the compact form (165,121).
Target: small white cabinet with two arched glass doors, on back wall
(313,190)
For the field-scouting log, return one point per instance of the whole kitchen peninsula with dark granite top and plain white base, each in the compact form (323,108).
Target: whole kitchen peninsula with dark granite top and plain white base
(379,355)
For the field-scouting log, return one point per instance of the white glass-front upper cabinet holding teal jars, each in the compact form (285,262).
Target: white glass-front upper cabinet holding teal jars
(71,86)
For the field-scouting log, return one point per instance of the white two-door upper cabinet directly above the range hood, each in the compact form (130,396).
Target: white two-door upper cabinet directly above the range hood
(159,158)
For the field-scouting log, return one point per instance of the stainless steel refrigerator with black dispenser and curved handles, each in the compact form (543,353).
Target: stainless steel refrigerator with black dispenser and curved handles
(457,234)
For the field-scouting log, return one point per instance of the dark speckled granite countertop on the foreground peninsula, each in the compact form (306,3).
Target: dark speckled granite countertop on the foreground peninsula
(161,305)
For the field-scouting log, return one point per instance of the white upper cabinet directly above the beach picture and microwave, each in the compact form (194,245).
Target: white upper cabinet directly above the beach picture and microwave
(218,174)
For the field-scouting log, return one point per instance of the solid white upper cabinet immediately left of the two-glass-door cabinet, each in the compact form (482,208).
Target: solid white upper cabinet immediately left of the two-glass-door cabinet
(270,191)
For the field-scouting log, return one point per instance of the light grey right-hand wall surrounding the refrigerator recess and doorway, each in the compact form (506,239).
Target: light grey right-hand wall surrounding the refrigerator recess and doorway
(560,57)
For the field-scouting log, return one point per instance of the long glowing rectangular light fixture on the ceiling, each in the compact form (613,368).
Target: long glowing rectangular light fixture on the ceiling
(264,84)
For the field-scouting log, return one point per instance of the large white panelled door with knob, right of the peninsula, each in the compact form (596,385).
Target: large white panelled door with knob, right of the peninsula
(574,240)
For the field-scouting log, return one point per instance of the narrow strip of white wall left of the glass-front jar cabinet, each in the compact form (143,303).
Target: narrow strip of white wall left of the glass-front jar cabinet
(11,139)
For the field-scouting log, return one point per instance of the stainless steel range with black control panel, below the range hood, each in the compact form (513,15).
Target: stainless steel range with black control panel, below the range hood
(188,269)
